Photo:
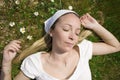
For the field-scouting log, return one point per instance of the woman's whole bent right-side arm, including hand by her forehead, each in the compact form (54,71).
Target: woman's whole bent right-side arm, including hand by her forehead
(110,44)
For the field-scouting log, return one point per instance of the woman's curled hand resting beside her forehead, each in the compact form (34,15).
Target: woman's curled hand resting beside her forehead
(88,21)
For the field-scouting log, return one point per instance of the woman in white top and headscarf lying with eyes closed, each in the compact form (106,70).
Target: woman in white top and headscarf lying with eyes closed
(66,59)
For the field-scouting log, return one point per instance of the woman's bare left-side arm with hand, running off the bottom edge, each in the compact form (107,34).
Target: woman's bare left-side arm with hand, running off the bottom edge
(9,53)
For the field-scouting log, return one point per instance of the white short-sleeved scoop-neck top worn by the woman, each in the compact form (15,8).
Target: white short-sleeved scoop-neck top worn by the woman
(32,65)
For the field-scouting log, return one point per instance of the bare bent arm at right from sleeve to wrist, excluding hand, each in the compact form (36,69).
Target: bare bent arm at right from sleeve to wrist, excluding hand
(110,44)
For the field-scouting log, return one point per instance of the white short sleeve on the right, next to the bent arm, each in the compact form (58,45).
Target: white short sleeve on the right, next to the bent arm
(85,48)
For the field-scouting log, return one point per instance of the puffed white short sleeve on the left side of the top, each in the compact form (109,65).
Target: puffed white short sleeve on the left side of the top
(27,67)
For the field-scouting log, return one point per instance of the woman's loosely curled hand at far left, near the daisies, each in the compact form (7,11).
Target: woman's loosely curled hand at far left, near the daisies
(10,51)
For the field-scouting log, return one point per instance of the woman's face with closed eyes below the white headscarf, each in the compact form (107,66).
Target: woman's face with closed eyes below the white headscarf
(65,33)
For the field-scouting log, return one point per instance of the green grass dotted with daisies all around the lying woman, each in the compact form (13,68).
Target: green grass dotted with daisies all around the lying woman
(105,67)
